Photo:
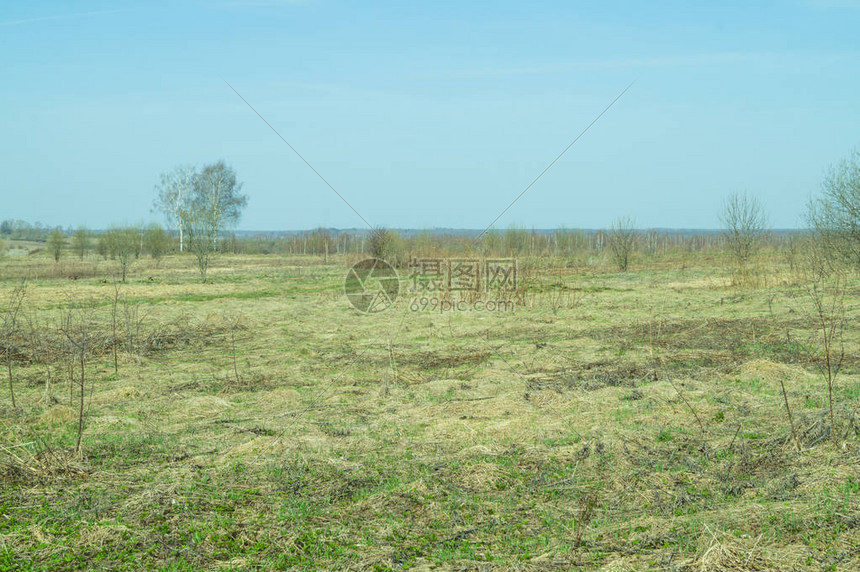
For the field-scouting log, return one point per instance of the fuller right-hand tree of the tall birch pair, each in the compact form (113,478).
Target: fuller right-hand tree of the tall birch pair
(215,204)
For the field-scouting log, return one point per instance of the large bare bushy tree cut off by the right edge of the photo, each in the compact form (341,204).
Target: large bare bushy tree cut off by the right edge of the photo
(835,215)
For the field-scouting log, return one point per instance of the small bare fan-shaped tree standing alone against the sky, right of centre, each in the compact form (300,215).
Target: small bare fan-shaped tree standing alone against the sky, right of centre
(744,226)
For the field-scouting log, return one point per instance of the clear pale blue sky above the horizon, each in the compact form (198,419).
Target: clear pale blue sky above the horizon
(427,114)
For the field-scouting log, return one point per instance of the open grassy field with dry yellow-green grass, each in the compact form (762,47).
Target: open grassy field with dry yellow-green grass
(614,421)
